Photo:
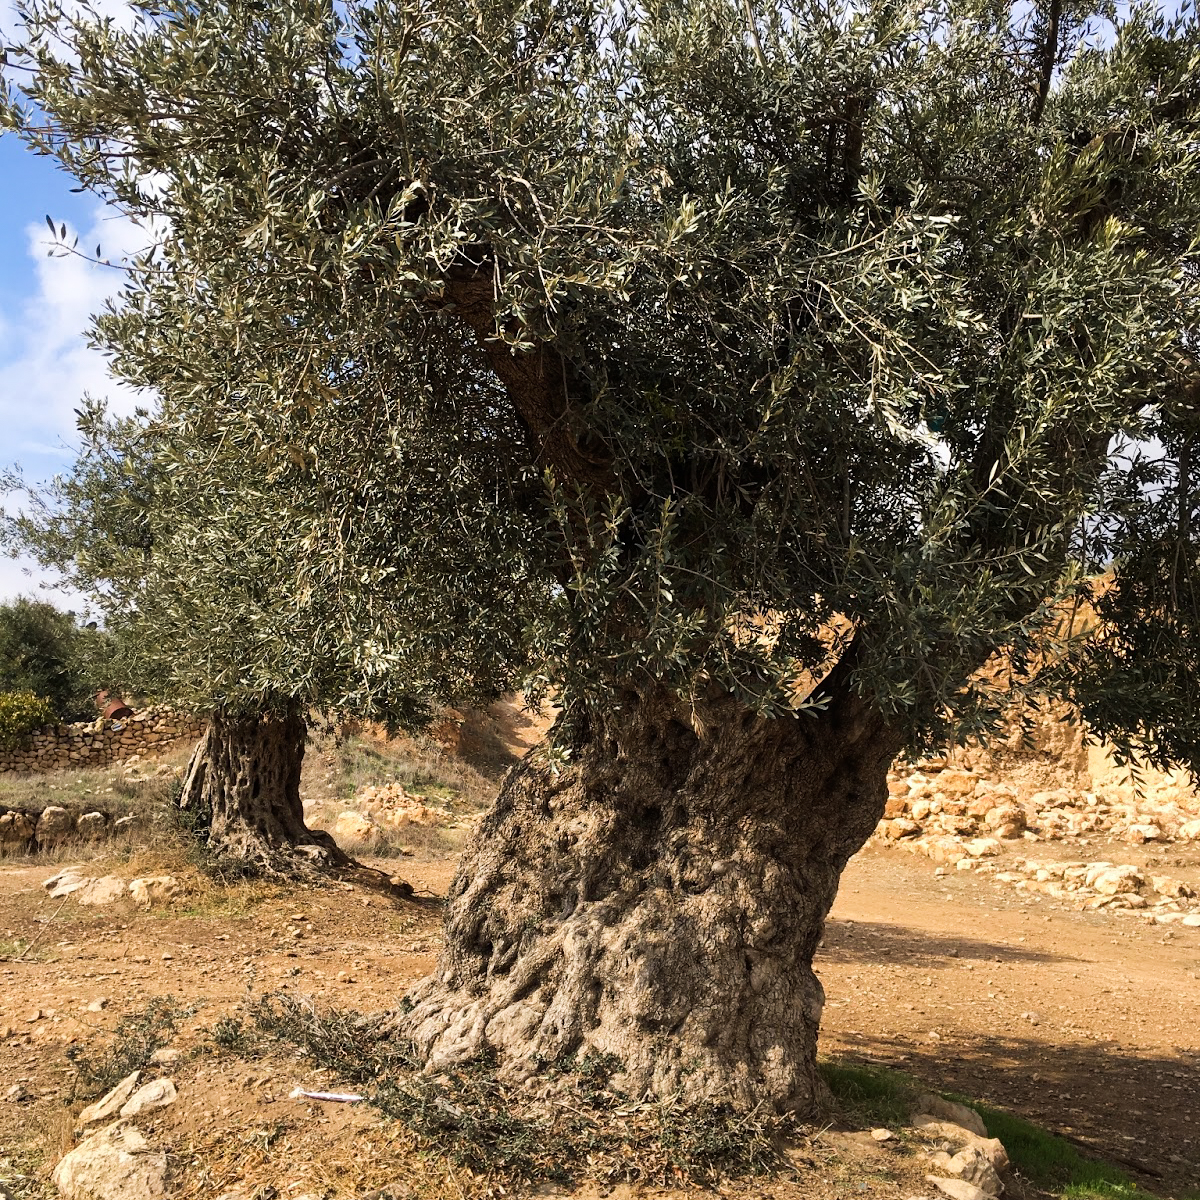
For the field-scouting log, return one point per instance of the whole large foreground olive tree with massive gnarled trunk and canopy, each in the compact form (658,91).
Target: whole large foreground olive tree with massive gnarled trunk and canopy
(755,371)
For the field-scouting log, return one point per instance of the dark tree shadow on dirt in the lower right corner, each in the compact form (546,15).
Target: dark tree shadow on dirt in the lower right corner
(1138,1111)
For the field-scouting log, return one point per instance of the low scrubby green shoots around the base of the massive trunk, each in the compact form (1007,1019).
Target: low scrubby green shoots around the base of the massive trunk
(477,1120)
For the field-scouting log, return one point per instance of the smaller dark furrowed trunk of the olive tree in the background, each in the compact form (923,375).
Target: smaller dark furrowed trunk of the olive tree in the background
(244,781)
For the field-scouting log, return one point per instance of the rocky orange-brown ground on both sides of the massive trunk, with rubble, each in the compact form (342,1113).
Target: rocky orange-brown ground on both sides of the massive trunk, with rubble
(1034,947)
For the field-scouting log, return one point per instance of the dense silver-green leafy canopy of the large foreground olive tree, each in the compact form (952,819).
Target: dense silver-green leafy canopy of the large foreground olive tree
(580,341)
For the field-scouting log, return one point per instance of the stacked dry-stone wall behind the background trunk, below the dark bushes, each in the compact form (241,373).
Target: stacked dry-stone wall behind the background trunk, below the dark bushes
(99,743)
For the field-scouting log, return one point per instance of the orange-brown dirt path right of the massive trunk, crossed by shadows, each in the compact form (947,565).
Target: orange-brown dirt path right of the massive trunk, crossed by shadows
(1088,1024)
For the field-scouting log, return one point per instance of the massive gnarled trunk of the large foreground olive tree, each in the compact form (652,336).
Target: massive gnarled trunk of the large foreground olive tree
(659,901)
